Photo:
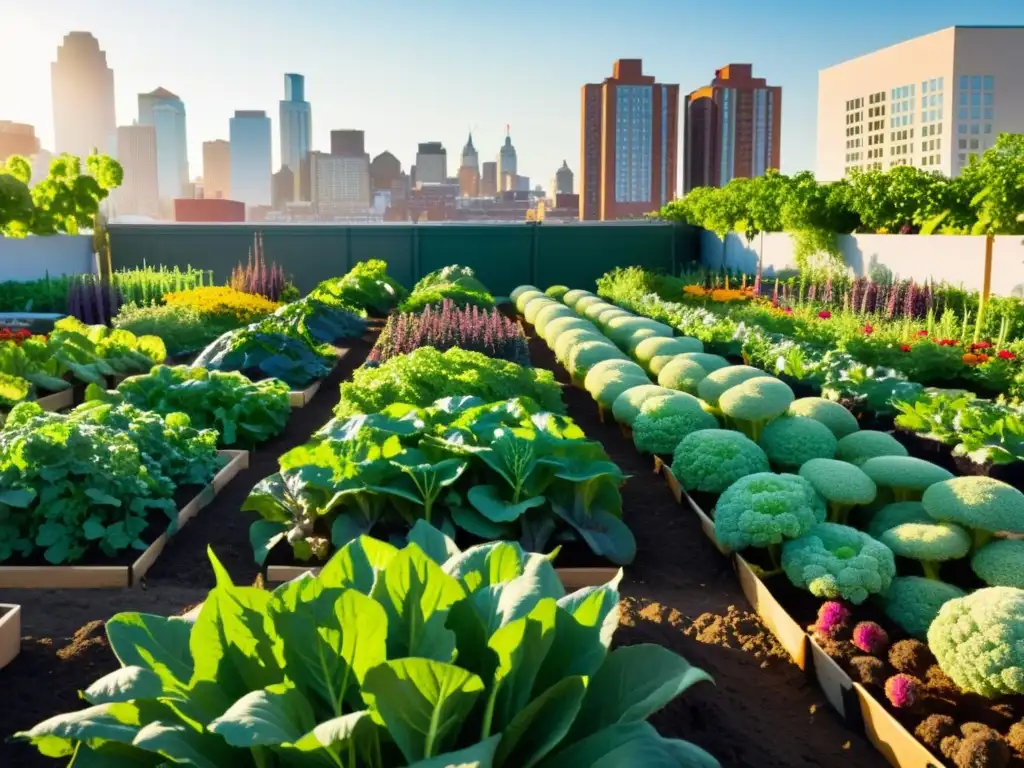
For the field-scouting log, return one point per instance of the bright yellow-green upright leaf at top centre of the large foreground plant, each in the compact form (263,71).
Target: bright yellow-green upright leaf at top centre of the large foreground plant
(416,595)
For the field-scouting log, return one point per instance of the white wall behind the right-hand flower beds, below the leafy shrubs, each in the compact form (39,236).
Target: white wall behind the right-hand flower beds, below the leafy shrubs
(958,261)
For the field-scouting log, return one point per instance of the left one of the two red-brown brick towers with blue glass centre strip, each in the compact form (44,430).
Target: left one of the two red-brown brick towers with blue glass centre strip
(629,145)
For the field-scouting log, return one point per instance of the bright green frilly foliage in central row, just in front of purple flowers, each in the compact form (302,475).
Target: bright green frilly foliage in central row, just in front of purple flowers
(426,375)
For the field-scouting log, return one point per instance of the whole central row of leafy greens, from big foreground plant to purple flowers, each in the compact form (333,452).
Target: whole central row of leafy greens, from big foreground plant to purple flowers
(448,639)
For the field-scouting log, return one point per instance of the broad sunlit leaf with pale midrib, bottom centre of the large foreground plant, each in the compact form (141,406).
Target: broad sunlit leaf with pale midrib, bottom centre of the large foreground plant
(422,703)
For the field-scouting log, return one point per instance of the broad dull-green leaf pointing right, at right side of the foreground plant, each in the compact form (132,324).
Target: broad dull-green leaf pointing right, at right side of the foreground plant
(634,682)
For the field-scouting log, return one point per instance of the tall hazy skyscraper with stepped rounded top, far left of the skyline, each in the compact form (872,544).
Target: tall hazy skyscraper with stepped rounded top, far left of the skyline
(83,98)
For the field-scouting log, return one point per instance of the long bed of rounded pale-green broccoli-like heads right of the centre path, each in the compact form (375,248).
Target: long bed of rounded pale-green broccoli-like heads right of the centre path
(847,516)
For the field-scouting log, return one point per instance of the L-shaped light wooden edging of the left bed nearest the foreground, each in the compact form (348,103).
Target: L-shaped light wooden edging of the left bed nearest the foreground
(127,574)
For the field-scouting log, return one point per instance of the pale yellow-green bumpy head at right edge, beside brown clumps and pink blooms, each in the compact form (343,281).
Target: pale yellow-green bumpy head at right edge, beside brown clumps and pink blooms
(978,642)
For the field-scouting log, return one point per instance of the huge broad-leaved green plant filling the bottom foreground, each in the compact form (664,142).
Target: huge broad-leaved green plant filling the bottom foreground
(424,657)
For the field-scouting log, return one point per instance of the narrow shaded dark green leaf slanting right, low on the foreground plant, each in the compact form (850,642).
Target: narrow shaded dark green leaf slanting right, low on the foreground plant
(540,728)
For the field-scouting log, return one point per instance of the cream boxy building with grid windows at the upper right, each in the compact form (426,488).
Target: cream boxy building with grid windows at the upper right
(933,103)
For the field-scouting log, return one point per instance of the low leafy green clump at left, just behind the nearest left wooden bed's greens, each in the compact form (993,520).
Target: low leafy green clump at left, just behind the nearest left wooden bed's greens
(244,413)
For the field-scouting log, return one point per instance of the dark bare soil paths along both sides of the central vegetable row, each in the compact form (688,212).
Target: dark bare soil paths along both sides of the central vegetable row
(680,593)
